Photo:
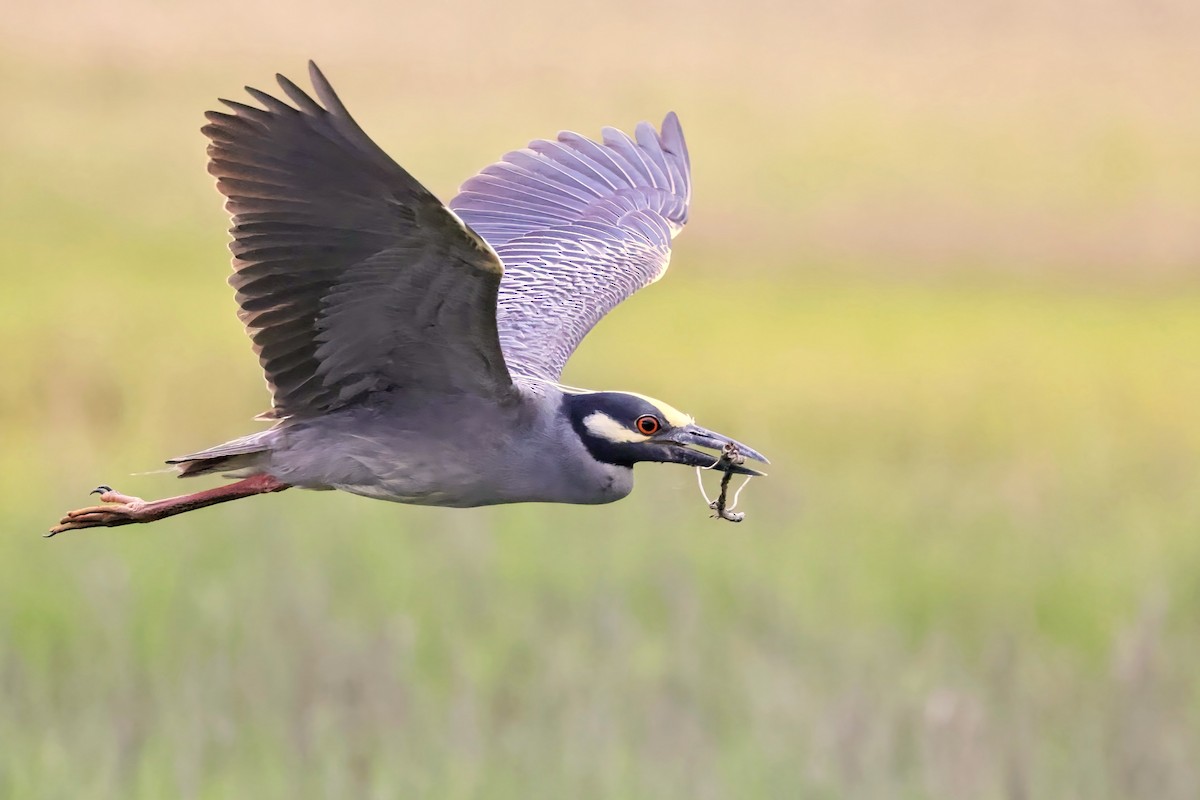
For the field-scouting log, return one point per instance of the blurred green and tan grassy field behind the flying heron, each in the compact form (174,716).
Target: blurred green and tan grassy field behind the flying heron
(943,269)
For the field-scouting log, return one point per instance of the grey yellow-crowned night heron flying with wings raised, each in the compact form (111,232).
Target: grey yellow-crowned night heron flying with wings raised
(413,351)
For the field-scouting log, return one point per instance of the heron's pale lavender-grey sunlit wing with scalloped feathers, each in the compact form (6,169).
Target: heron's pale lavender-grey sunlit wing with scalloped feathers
(580,226)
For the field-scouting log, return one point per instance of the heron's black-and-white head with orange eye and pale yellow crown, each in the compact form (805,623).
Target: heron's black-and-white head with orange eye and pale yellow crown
(623,429)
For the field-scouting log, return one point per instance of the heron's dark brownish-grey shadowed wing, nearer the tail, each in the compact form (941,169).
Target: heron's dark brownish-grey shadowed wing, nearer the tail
(352,278)
